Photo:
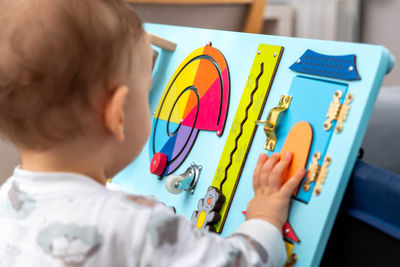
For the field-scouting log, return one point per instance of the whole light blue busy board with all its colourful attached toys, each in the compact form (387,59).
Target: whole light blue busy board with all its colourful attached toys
(222,98)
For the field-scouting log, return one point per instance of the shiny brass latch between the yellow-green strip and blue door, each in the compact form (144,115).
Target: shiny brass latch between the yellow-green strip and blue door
(271,123)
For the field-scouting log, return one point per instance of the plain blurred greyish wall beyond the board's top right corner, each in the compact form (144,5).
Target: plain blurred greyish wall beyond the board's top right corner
(380,25)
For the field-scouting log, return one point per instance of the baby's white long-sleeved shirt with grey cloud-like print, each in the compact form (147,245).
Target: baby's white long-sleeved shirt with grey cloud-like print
(66,219)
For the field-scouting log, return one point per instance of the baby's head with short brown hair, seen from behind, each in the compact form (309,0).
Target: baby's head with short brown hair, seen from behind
(73,70)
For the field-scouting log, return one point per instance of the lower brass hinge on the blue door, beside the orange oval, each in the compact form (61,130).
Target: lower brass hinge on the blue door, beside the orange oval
(316,173)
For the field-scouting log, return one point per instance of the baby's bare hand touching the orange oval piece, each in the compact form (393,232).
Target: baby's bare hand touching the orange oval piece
(271,200)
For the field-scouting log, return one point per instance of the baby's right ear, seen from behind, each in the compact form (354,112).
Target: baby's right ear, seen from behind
(114,112)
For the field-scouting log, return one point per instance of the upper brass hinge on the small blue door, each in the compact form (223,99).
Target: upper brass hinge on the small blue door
(338,112)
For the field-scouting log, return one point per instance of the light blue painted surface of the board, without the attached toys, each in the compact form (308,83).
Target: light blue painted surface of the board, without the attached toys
(312,222)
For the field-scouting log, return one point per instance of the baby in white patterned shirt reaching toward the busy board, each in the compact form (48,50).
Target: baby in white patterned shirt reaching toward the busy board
(74,82)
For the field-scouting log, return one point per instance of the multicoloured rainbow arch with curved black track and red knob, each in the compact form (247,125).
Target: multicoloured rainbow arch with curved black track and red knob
(195,98)
